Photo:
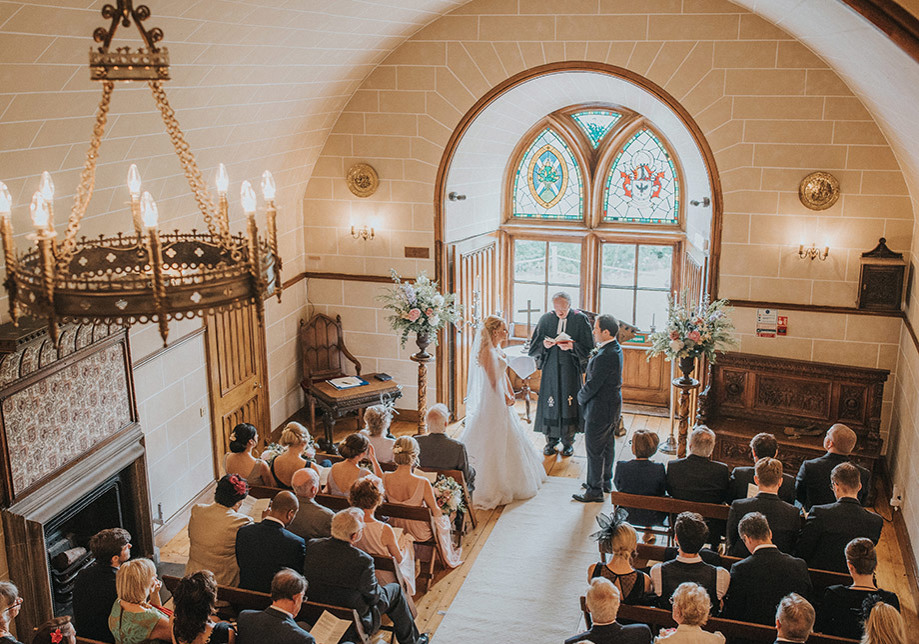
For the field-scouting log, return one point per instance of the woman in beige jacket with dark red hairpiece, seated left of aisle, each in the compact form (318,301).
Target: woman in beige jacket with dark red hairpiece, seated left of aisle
(212,531)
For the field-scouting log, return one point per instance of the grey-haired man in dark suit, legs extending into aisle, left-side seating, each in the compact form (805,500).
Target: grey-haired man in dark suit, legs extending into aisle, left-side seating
(341,574)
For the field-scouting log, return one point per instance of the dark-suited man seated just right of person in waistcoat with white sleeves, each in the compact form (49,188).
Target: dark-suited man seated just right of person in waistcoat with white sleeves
(759,582)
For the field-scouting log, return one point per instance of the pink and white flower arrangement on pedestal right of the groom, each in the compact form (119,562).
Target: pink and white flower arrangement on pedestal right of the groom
(690,333)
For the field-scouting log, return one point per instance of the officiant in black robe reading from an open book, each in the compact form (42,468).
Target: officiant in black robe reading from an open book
(561,345)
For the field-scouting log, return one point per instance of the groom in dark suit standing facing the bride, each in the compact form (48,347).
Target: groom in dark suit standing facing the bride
(601,403)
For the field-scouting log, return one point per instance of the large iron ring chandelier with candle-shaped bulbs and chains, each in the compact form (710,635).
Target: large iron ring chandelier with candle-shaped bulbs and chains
(147,275)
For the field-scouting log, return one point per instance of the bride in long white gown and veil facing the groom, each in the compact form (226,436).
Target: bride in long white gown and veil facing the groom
(507,465)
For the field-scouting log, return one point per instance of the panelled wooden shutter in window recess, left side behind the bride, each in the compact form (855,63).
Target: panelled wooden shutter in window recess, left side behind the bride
(474,279)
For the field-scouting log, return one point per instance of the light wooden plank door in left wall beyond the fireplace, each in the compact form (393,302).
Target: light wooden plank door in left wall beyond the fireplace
(237,377)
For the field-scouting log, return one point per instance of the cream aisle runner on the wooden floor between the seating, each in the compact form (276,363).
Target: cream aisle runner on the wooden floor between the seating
(525,583)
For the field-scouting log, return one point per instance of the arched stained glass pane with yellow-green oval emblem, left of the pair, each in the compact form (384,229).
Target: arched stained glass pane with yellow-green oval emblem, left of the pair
(548,181)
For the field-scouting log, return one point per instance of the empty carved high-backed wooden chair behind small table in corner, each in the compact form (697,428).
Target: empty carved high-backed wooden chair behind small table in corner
(323,354)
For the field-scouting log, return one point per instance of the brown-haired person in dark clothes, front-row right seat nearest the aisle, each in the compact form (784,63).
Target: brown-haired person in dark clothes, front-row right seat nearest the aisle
(643,476)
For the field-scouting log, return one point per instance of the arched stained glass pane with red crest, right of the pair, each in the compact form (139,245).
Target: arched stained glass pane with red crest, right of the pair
(642,185)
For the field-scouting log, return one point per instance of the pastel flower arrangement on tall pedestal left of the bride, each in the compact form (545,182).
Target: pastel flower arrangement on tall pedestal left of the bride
(419,308)
